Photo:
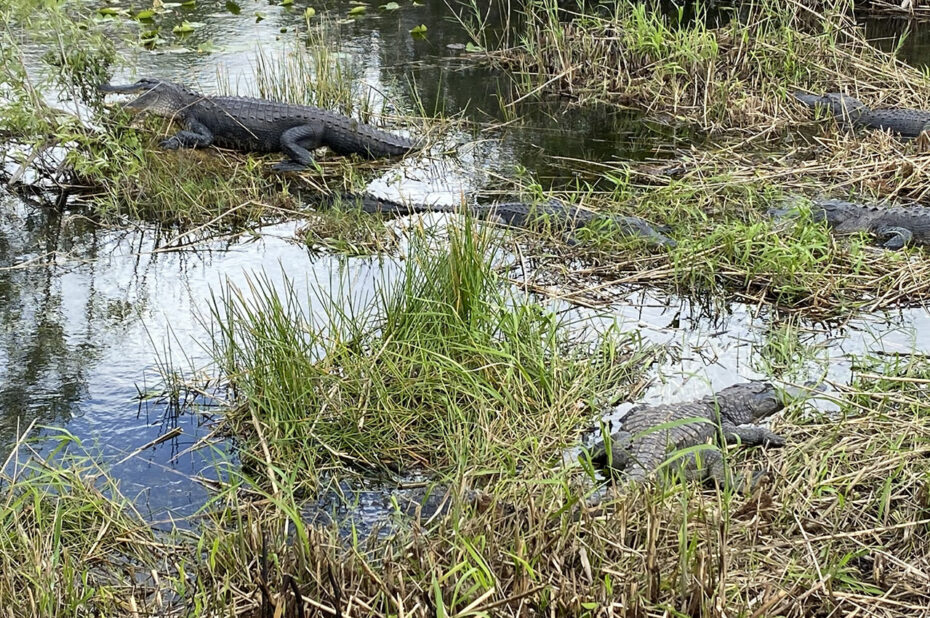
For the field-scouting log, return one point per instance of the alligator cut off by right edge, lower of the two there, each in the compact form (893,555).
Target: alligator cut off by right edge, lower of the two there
(899,225)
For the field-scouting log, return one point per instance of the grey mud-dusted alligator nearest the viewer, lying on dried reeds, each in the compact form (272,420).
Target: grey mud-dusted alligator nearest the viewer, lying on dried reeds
(651,433)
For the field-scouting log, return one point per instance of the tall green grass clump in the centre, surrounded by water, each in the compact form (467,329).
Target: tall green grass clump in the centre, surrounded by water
(443,369)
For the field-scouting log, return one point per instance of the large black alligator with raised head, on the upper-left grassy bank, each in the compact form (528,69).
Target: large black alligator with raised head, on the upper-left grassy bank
(259,125)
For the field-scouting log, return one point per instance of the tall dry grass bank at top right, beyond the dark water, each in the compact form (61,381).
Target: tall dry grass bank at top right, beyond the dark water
(737,76)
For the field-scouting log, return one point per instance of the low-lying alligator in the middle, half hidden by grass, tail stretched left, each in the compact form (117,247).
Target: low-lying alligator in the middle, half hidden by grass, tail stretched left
(567,217)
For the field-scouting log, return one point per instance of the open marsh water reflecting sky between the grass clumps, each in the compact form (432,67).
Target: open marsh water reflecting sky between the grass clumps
(89,315)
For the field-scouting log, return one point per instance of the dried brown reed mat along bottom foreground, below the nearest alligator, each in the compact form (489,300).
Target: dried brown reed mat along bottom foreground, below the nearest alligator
(841,528)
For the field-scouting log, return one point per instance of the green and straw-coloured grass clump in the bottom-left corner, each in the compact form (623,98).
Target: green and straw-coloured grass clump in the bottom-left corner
(70,543)
